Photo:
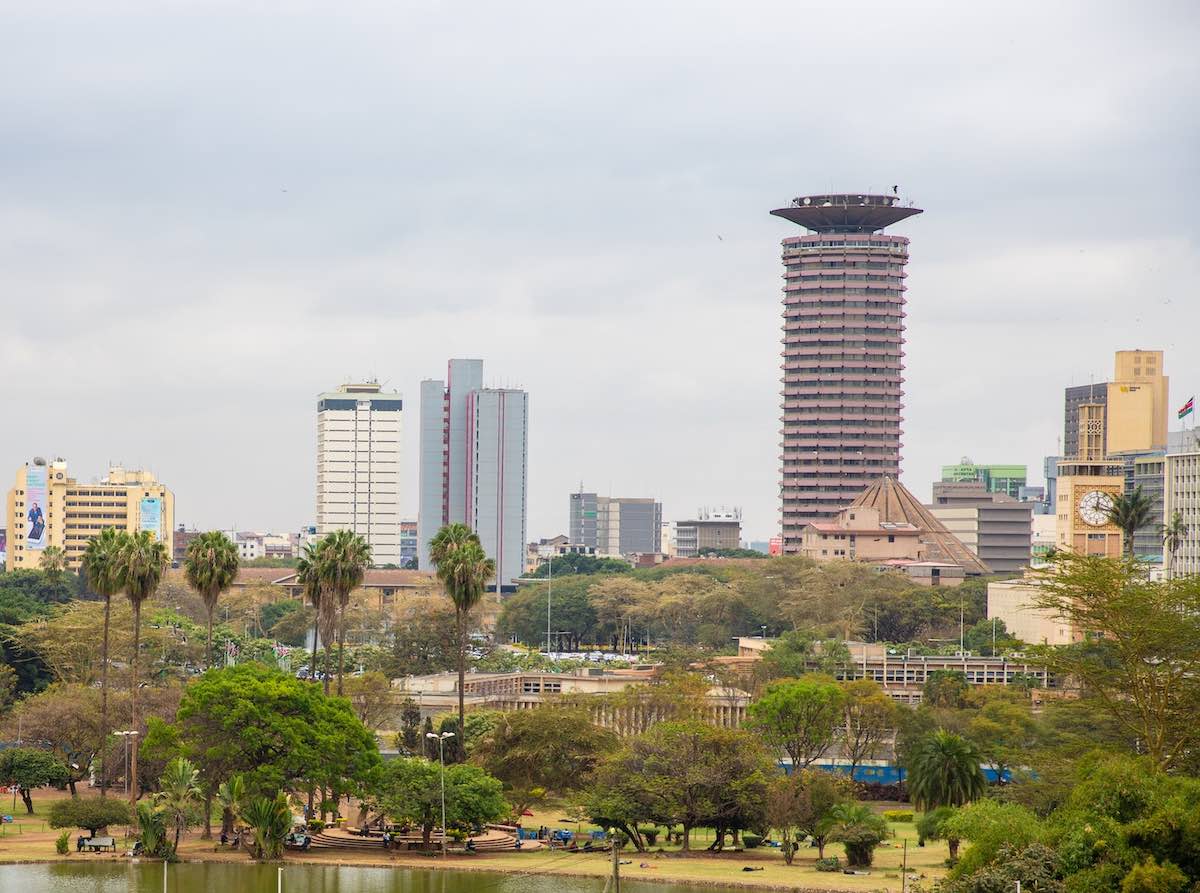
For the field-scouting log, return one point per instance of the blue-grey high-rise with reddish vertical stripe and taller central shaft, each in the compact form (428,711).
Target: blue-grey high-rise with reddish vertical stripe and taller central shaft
(475,468)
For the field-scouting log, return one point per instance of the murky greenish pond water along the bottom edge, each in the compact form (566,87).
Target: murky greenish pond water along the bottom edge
(223,878)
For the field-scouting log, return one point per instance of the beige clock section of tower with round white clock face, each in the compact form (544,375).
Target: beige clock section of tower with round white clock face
(1087,492)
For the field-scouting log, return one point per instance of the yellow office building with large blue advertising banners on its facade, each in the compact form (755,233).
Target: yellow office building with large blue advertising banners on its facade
(50,508)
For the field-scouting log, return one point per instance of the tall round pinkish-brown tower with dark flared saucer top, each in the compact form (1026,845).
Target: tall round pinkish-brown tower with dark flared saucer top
(843,352)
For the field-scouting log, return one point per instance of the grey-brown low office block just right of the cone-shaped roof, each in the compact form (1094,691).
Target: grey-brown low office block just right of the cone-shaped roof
(993,525)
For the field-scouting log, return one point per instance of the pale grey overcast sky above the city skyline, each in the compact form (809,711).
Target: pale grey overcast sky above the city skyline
(211,213)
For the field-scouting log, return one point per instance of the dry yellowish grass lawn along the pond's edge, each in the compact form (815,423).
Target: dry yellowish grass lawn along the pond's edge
(29,838)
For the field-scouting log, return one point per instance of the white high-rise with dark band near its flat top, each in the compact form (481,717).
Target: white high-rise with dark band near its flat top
(358,466)
